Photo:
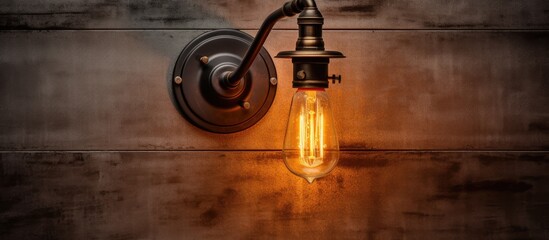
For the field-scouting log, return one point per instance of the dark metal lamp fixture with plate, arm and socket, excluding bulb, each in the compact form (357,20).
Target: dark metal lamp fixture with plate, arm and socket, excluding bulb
(220,91)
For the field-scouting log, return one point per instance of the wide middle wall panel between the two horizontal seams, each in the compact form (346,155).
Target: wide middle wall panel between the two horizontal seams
(93,90)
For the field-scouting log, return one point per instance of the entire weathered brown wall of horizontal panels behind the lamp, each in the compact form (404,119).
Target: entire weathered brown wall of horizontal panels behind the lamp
(443,118)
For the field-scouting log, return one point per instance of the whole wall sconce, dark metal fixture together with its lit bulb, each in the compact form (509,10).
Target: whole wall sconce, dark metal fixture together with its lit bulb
(220,91)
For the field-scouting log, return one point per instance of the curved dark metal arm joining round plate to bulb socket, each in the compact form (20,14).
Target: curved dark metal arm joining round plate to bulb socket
(289,9)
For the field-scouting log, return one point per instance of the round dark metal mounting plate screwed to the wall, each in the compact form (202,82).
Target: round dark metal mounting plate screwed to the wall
(201,96)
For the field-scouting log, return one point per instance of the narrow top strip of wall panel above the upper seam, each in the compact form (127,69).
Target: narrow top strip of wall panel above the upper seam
(342,14)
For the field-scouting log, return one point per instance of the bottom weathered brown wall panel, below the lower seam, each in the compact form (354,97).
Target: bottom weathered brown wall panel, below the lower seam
(250,195)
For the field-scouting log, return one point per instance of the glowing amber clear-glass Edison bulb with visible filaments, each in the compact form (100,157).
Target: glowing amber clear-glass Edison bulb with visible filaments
(311,149)
